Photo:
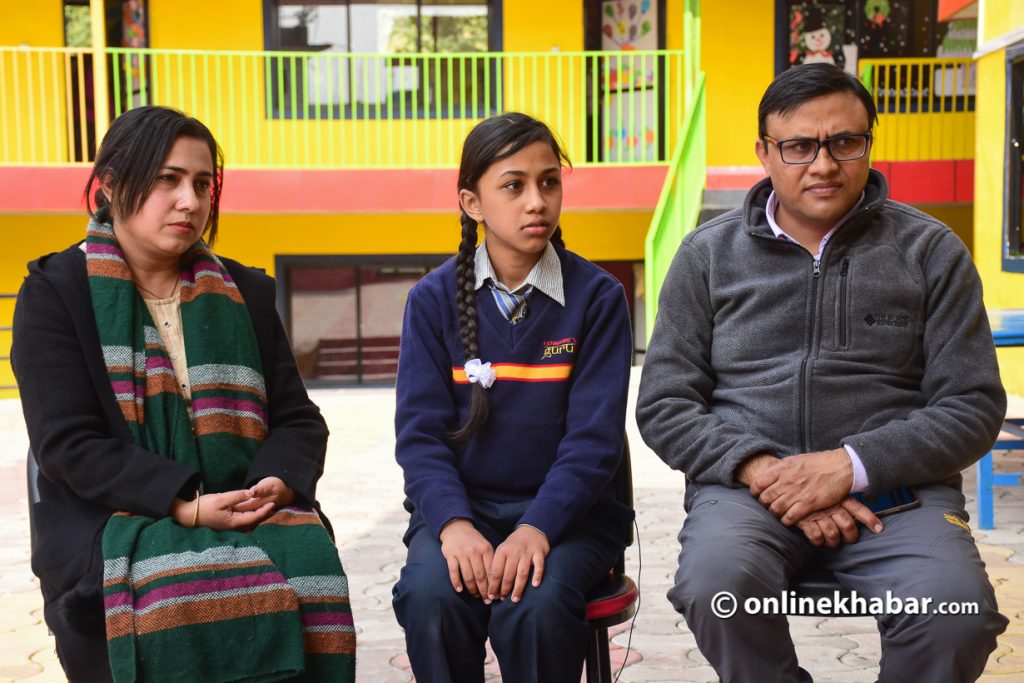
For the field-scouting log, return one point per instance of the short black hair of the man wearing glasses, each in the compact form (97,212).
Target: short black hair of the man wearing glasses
(800,84)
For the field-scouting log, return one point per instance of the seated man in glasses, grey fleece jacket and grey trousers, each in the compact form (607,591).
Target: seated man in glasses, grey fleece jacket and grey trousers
(823,341)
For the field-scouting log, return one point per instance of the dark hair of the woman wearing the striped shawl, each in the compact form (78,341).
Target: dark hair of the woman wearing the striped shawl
(132,154)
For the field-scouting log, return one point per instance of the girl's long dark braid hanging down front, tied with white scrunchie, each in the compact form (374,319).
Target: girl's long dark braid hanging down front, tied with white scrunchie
(465,279)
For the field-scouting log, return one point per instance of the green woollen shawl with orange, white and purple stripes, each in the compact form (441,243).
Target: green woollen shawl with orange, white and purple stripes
(197,605)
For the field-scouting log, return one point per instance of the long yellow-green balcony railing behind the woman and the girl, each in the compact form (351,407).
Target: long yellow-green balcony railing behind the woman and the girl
(321,110)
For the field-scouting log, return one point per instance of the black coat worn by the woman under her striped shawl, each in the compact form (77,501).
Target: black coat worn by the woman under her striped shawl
(89,463)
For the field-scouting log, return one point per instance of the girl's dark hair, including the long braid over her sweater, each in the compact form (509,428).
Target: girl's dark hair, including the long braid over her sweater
(491,141)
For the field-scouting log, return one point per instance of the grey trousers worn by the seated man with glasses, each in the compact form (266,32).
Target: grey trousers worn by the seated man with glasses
(731,543)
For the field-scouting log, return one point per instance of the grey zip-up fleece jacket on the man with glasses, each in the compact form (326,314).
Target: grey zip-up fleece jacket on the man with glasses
(883,346)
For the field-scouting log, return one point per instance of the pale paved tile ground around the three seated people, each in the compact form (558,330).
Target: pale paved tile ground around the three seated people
(362,493)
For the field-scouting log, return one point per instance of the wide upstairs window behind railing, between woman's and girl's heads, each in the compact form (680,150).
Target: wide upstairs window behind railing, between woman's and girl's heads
(332,70)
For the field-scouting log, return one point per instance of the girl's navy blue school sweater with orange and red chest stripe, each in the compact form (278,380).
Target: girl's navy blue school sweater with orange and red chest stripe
(558,409)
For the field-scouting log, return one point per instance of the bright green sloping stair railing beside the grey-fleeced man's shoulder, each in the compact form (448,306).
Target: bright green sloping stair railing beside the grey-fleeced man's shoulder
(679,206)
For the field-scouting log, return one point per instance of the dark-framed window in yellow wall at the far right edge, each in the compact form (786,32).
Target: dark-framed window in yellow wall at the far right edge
(1013,257)
